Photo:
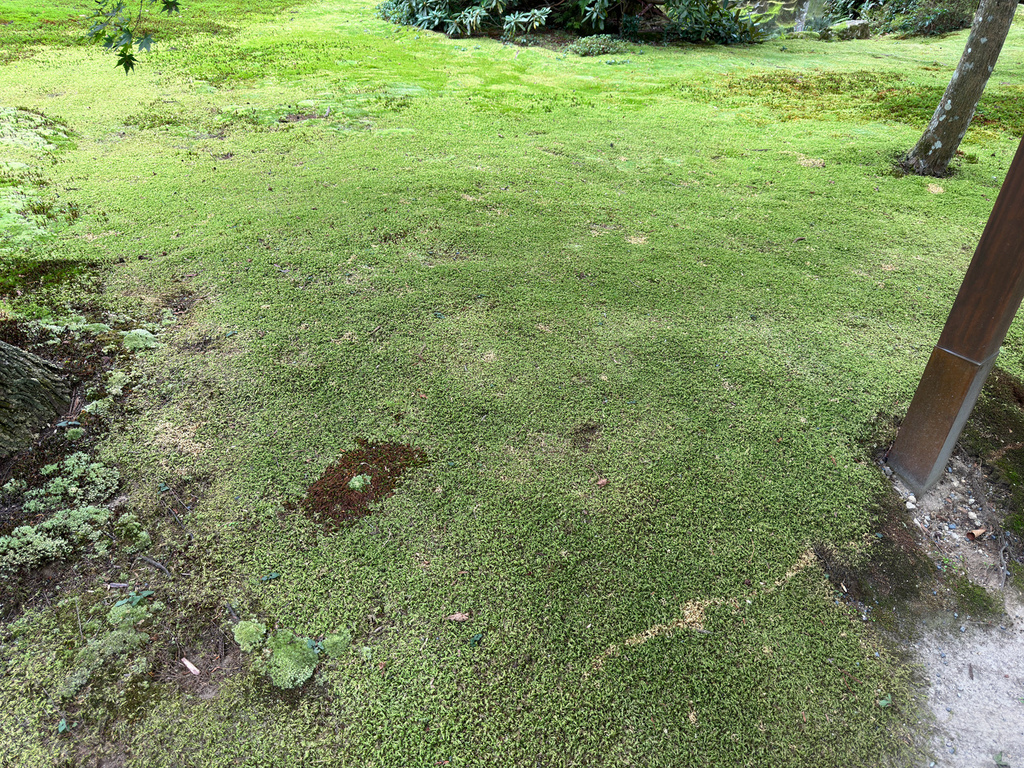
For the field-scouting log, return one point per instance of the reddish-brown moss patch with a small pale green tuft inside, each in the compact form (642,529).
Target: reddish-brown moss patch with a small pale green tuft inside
(342,495)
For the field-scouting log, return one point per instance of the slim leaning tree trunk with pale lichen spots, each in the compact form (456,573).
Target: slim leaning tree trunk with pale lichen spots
(938,146)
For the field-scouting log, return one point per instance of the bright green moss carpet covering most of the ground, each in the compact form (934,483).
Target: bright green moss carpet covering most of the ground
(645,317)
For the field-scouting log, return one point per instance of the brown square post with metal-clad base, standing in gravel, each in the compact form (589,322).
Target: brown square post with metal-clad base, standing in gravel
(988,302)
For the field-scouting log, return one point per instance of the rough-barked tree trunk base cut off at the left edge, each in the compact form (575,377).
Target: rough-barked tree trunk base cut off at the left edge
(32,392)
